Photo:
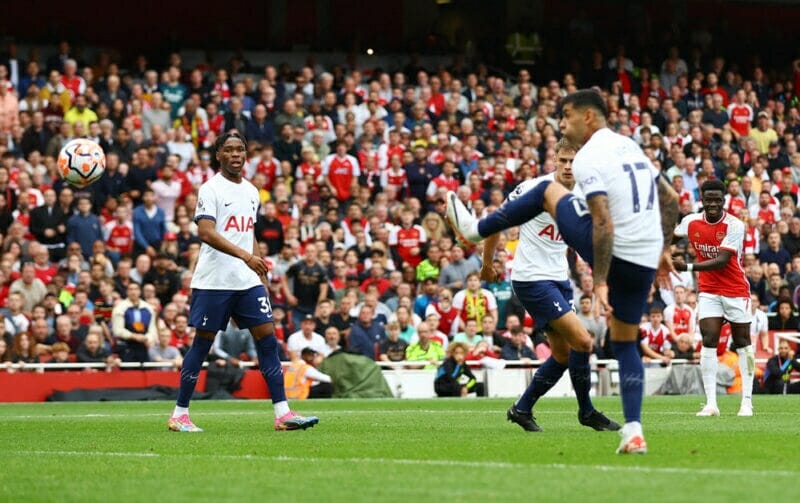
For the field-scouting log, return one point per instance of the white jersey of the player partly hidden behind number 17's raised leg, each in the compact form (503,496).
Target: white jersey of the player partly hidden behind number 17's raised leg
(541,253)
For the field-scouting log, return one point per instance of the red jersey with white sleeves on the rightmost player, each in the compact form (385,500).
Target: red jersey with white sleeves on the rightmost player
(708,239)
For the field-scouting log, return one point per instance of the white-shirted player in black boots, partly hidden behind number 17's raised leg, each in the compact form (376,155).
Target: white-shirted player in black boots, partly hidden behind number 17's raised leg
(540,279)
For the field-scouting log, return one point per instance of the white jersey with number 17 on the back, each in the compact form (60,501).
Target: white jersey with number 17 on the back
(615,165)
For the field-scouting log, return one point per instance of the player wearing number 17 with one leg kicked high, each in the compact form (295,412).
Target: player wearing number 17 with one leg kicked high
(615,229)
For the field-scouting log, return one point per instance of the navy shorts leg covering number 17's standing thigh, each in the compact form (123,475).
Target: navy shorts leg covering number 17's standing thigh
(628,288)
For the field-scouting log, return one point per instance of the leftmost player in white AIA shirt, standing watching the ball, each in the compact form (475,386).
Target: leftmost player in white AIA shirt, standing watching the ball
(229,280)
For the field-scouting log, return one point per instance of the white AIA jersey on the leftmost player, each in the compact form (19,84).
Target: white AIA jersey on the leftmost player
(232,206)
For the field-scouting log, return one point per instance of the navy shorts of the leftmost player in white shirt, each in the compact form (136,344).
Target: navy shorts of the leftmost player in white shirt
(211,309)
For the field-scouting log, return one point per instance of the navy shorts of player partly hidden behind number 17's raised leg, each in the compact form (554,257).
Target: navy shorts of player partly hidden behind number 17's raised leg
(544,300)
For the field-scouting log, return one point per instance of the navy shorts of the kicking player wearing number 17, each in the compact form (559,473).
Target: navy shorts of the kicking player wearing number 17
(628,284)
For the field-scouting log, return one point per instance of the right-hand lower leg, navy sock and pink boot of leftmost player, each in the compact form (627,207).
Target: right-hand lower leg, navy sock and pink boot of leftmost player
(270,365)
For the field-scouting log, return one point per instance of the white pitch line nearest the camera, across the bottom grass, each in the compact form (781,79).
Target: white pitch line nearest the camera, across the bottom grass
(429,462)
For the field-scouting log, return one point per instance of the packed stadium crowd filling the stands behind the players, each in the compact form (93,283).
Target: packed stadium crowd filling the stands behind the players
(352,166)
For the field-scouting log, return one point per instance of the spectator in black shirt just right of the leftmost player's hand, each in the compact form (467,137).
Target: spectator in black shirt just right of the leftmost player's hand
(310,285)
